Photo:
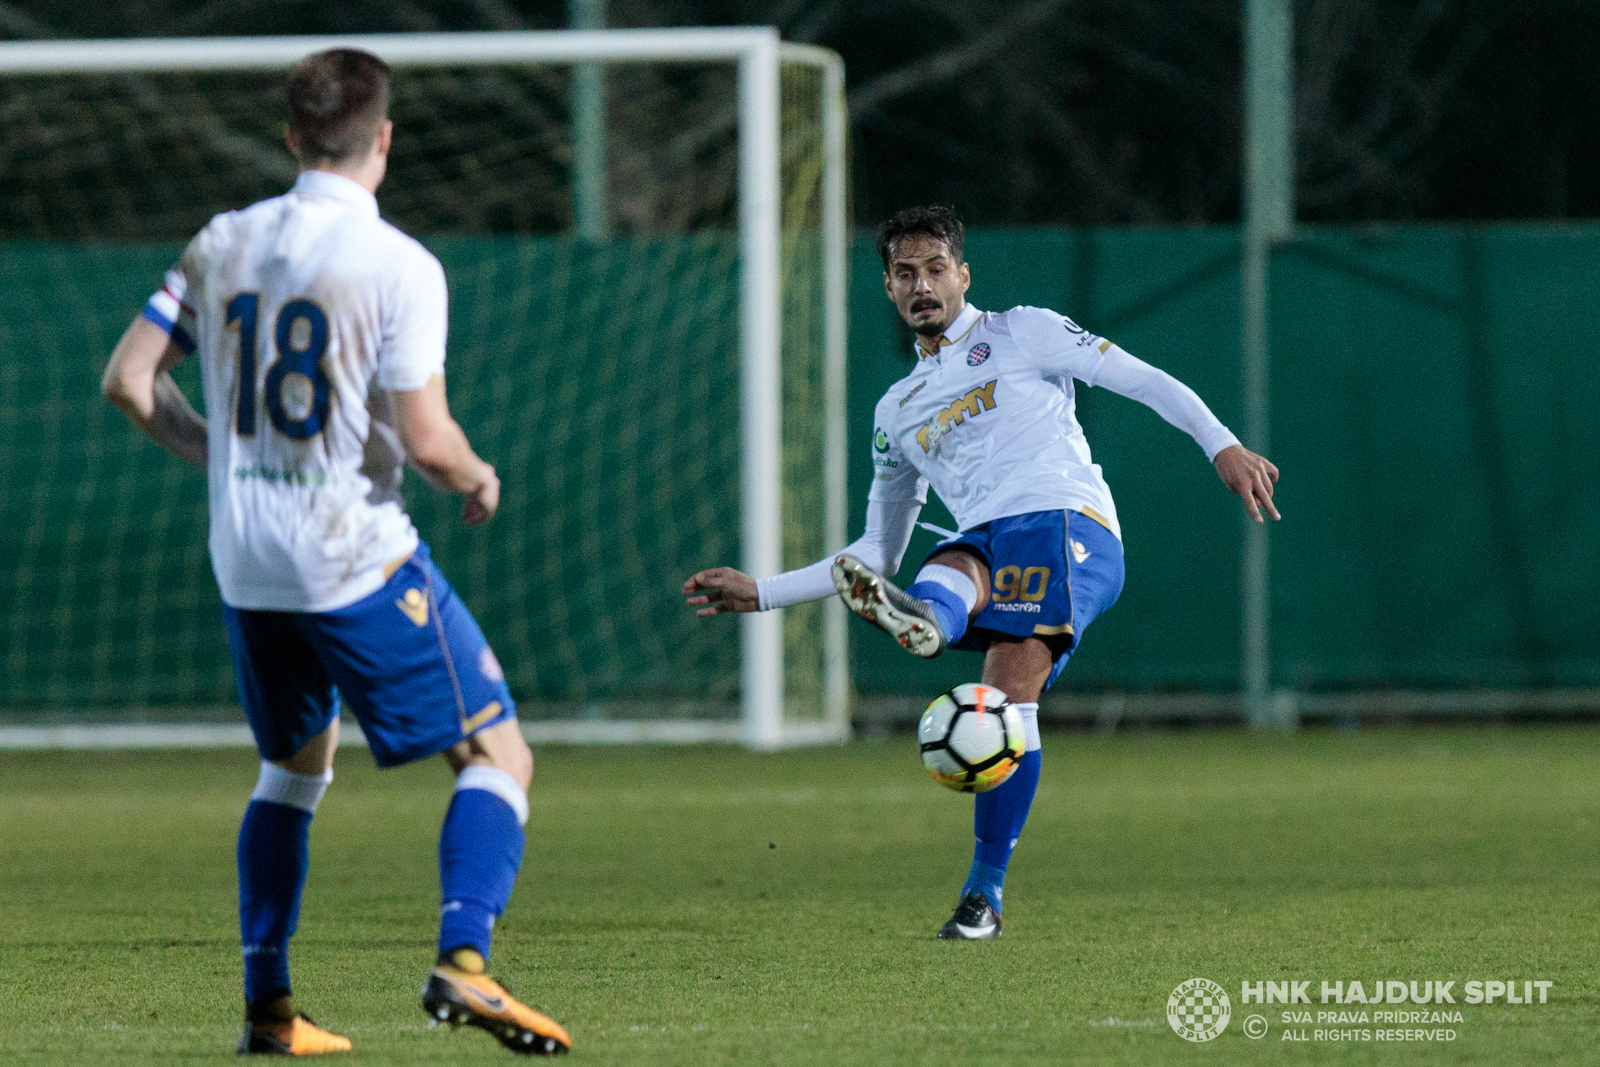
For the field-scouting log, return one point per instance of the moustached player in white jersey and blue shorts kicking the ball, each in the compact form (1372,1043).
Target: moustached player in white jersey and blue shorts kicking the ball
(988,422)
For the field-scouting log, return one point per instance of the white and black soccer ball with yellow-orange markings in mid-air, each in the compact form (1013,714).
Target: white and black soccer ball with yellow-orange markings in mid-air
(972,738)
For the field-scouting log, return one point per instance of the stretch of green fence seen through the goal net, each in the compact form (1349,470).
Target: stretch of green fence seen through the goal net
(601,382)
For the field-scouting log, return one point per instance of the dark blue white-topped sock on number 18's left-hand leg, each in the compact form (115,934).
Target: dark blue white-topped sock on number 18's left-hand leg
(274,855)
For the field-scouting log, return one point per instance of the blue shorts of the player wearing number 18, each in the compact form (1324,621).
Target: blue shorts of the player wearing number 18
(409,661)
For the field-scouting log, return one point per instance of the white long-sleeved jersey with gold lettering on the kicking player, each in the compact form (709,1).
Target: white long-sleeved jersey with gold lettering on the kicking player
(991,425)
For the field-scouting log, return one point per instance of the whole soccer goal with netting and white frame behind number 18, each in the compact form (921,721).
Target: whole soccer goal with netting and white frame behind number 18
(646,249)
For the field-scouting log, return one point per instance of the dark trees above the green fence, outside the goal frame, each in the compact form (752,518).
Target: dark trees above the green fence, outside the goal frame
(1105,111)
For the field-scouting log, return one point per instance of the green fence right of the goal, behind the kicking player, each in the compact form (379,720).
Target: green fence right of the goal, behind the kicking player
(1433,412)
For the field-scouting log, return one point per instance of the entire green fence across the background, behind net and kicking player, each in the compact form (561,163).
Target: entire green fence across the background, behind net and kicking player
(1434,401)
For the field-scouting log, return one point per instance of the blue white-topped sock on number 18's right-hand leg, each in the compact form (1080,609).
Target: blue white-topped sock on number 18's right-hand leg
(479,853)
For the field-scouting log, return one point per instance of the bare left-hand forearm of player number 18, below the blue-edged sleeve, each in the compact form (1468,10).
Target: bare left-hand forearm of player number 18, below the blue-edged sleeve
(138,382)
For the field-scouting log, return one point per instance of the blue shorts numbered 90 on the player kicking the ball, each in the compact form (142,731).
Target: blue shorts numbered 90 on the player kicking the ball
(1050,575)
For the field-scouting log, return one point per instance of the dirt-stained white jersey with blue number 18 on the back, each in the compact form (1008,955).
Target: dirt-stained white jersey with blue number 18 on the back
(305,311)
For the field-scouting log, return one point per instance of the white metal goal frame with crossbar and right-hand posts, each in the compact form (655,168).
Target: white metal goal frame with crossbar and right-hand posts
(759,54)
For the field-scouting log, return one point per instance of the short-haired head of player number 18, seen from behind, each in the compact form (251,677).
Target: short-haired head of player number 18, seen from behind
(338,103)
